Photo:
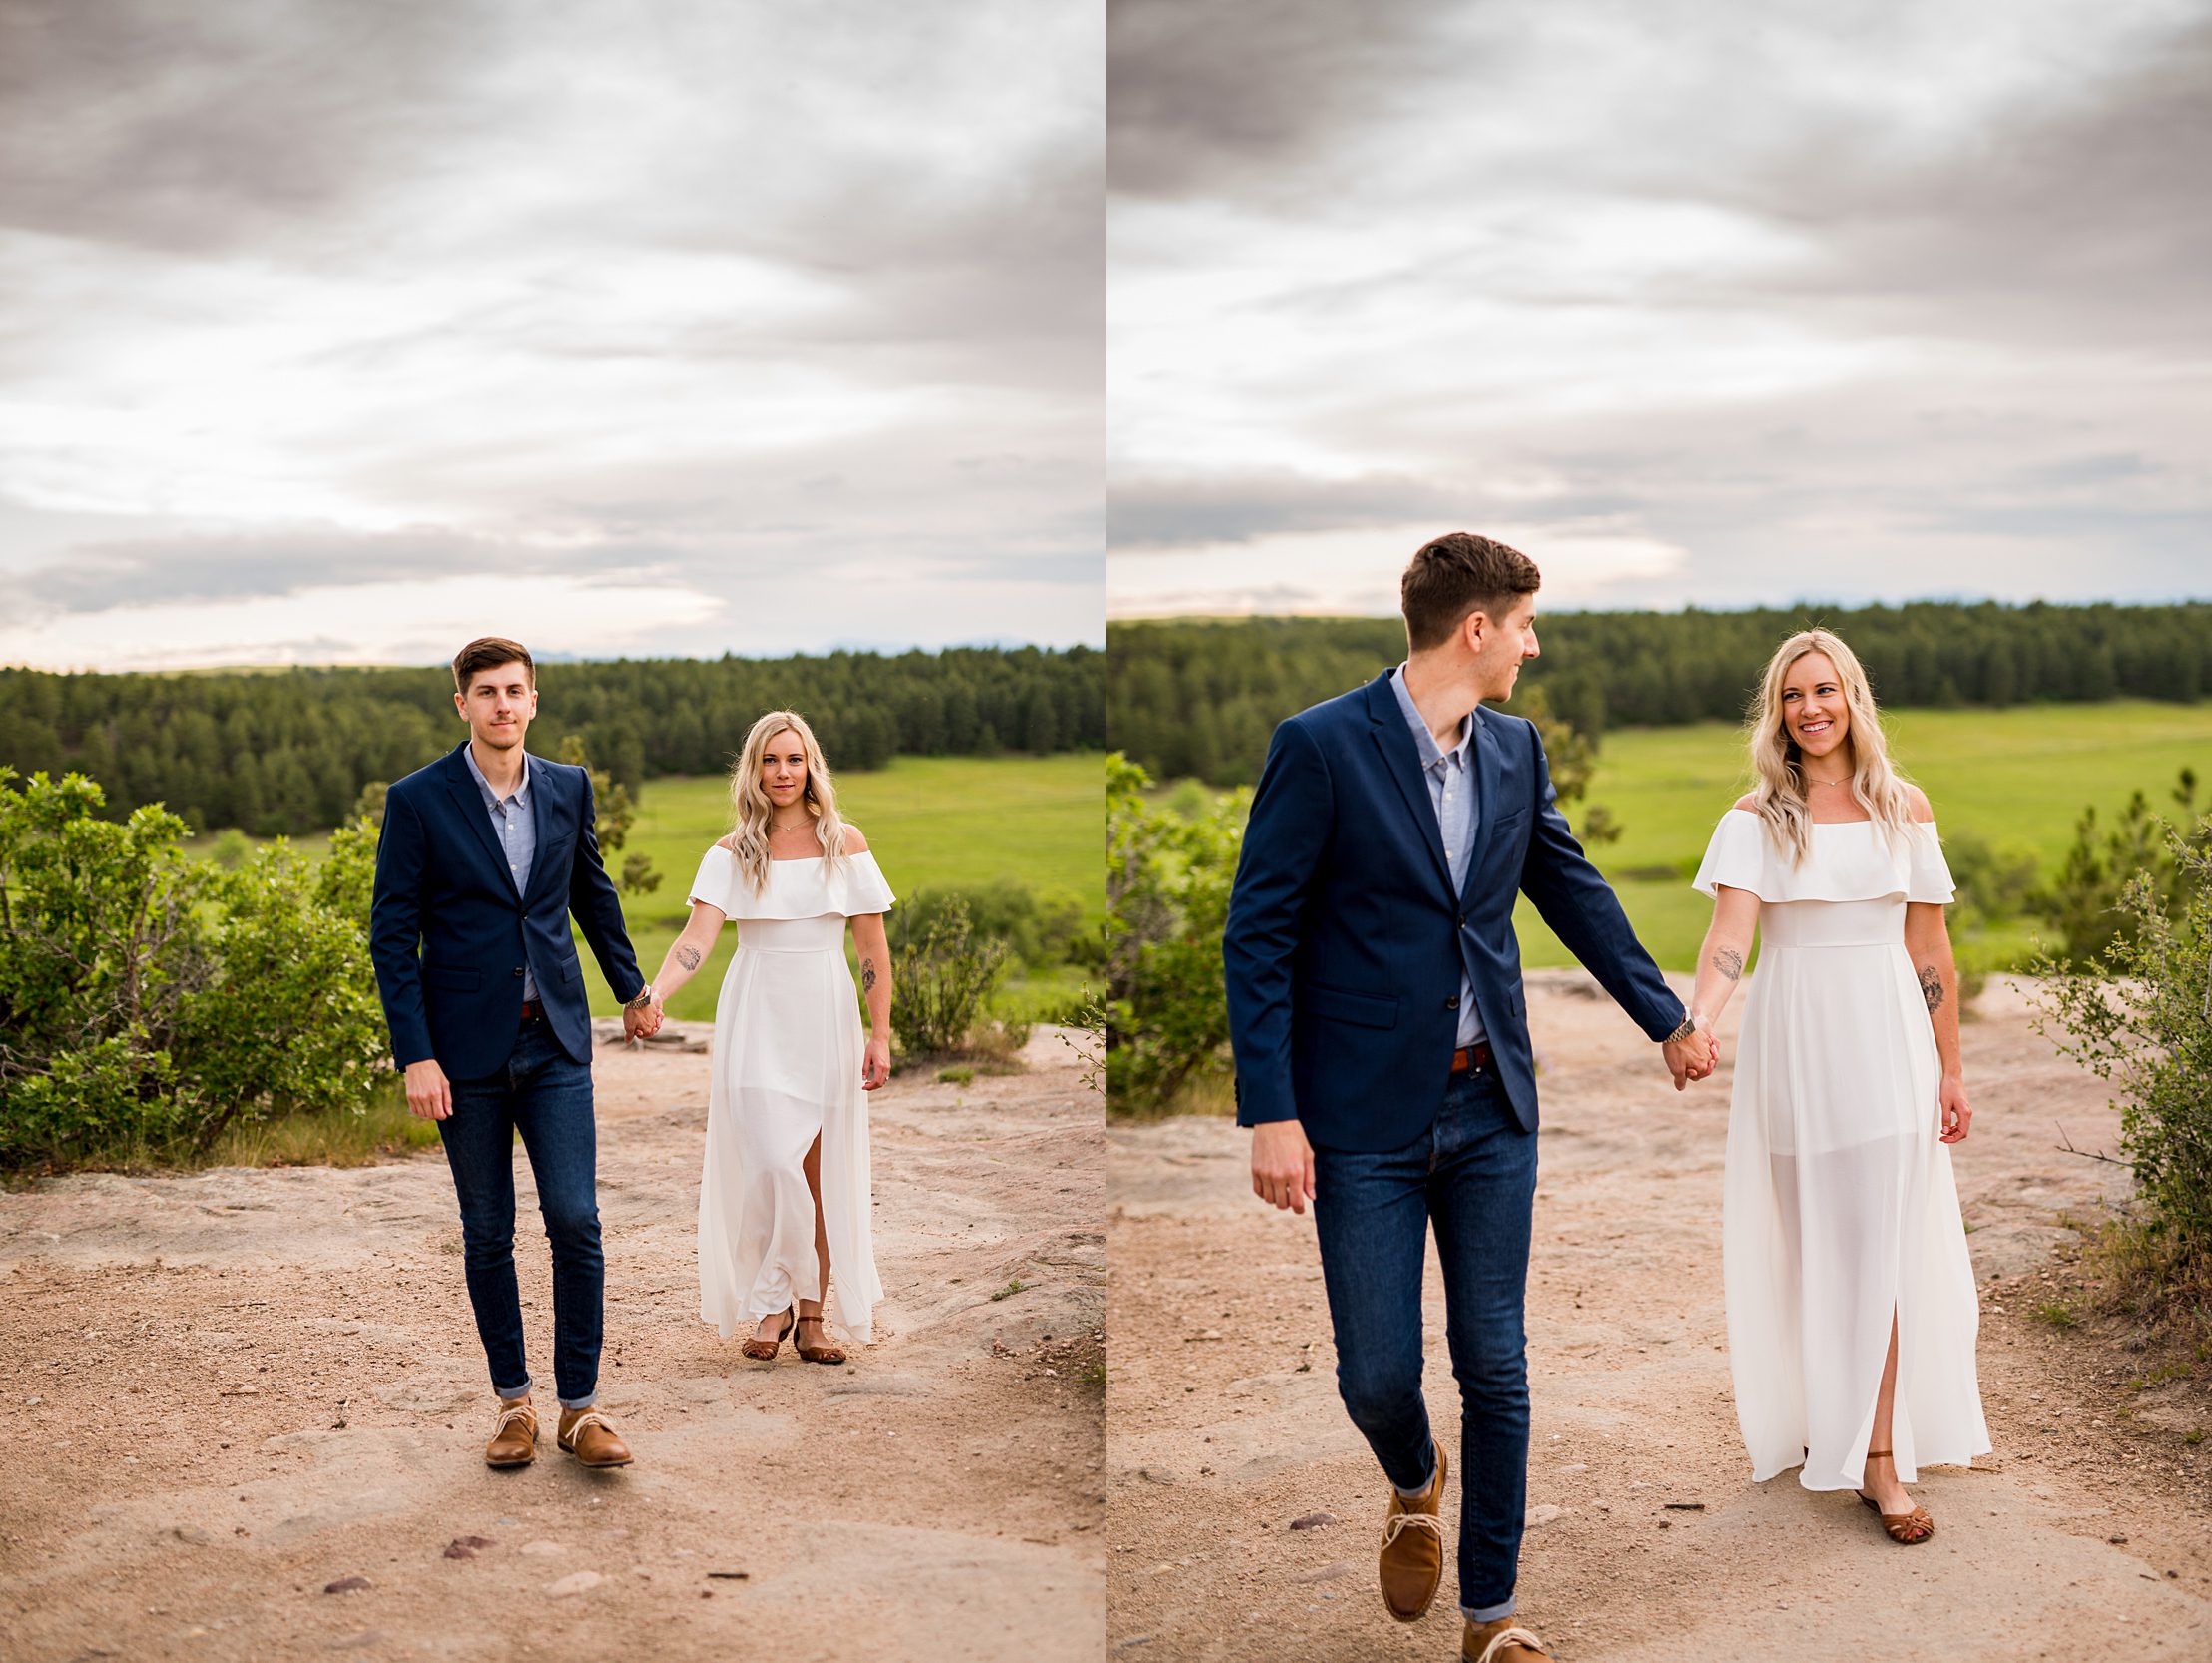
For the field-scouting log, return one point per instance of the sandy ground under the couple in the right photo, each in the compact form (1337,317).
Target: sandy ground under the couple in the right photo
(2087,1534)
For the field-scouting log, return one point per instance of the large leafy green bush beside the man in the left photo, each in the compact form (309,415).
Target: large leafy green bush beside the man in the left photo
(147,1001)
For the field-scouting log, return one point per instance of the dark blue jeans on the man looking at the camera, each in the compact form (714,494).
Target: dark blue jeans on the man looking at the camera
(547,1098)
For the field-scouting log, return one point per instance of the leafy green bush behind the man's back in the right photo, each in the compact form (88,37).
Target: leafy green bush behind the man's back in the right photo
(1167,901)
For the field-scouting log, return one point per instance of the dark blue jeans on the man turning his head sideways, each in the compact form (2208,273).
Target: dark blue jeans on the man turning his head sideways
(1474,1178)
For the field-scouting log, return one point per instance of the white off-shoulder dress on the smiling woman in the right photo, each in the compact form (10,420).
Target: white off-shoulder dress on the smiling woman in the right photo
(1839,1204)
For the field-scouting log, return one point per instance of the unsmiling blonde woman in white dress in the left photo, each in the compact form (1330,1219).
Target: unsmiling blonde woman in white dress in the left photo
(784,1202)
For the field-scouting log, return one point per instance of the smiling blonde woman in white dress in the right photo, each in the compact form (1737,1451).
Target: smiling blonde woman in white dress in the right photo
(1850,1297)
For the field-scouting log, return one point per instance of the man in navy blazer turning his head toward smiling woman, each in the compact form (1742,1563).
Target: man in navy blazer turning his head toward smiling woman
(1381,1040)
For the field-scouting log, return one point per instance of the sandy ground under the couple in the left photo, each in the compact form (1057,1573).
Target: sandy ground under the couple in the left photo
(229,1392)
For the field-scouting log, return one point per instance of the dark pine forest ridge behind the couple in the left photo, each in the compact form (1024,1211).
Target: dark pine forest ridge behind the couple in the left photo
(289,751)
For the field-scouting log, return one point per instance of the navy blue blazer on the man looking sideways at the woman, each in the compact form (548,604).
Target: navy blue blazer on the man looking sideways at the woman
(1346,941)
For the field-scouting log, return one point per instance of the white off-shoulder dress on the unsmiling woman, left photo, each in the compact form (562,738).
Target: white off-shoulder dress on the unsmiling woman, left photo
(786,1069)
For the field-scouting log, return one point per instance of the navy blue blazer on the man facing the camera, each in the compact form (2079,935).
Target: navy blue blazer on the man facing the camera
(444,890)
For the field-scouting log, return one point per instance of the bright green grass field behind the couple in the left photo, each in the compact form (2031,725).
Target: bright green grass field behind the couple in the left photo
(932,824)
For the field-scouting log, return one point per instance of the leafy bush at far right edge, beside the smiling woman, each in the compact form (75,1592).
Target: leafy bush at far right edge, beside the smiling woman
(2140,1014)
